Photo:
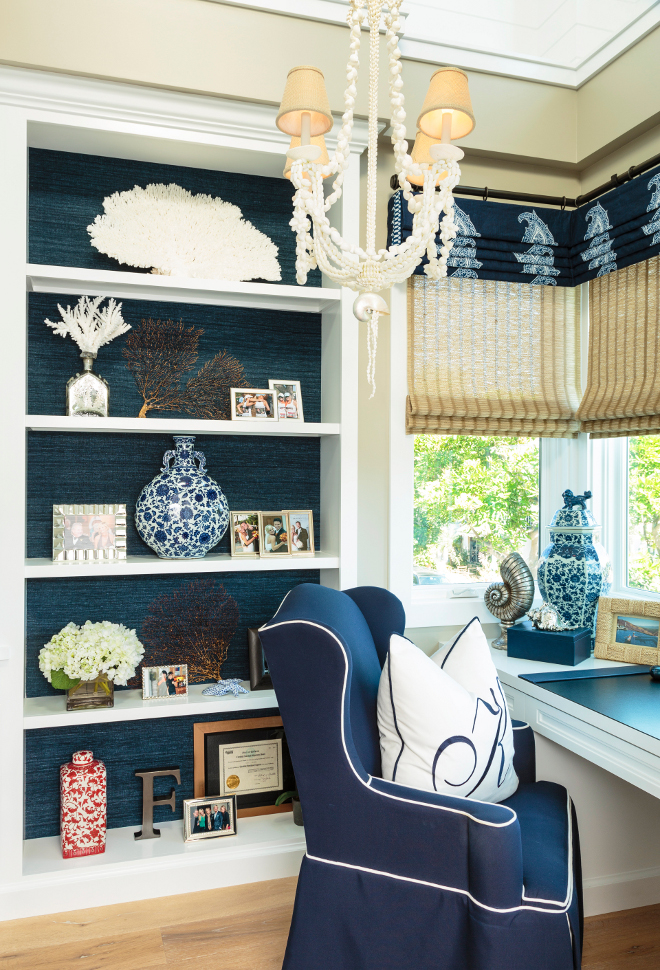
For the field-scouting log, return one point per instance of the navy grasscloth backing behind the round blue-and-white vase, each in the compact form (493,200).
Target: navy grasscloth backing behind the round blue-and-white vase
(255,472)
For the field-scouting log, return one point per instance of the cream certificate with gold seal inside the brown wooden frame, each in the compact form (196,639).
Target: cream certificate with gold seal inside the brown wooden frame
(250,767)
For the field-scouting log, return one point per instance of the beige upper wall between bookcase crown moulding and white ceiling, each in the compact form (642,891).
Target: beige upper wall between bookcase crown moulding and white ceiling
(193,45)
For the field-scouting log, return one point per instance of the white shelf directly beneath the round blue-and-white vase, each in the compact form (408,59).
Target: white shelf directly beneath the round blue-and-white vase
(220,562)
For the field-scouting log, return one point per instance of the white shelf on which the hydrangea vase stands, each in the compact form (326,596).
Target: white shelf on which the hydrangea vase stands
(50,712)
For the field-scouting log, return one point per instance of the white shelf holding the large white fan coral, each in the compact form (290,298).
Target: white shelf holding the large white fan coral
(178,289)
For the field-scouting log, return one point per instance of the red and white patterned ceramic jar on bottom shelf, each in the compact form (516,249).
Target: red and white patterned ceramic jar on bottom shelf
(82,806)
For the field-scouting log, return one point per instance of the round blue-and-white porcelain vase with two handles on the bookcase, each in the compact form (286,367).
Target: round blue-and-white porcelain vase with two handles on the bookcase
(182,513)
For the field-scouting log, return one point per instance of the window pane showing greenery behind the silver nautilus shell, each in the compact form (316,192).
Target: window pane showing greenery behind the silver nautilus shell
(476,499)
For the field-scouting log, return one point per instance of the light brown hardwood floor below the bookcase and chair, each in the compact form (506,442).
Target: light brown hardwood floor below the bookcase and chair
(244,928)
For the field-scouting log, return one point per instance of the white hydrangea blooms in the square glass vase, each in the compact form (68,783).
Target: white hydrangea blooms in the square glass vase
(86,652)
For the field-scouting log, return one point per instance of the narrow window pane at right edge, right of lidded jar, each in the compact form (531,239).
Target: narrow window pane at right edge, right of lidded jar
(644,512)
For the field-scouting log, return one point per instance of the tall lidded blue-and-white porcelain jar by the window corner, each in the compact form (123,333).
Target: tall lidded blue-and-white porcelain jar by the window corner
(574,570)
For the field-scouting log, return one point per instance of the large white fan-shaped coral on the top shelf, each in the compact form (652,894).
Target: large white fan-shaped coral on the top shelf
(169,230)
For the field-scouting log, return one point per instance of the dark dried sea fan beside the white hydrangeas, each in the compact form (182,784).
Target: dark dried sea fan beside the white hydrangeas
(194,625)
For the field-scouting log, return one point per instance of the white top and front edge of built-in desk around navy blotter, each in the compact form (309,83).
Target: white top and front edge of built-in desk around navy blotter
(622,749)
